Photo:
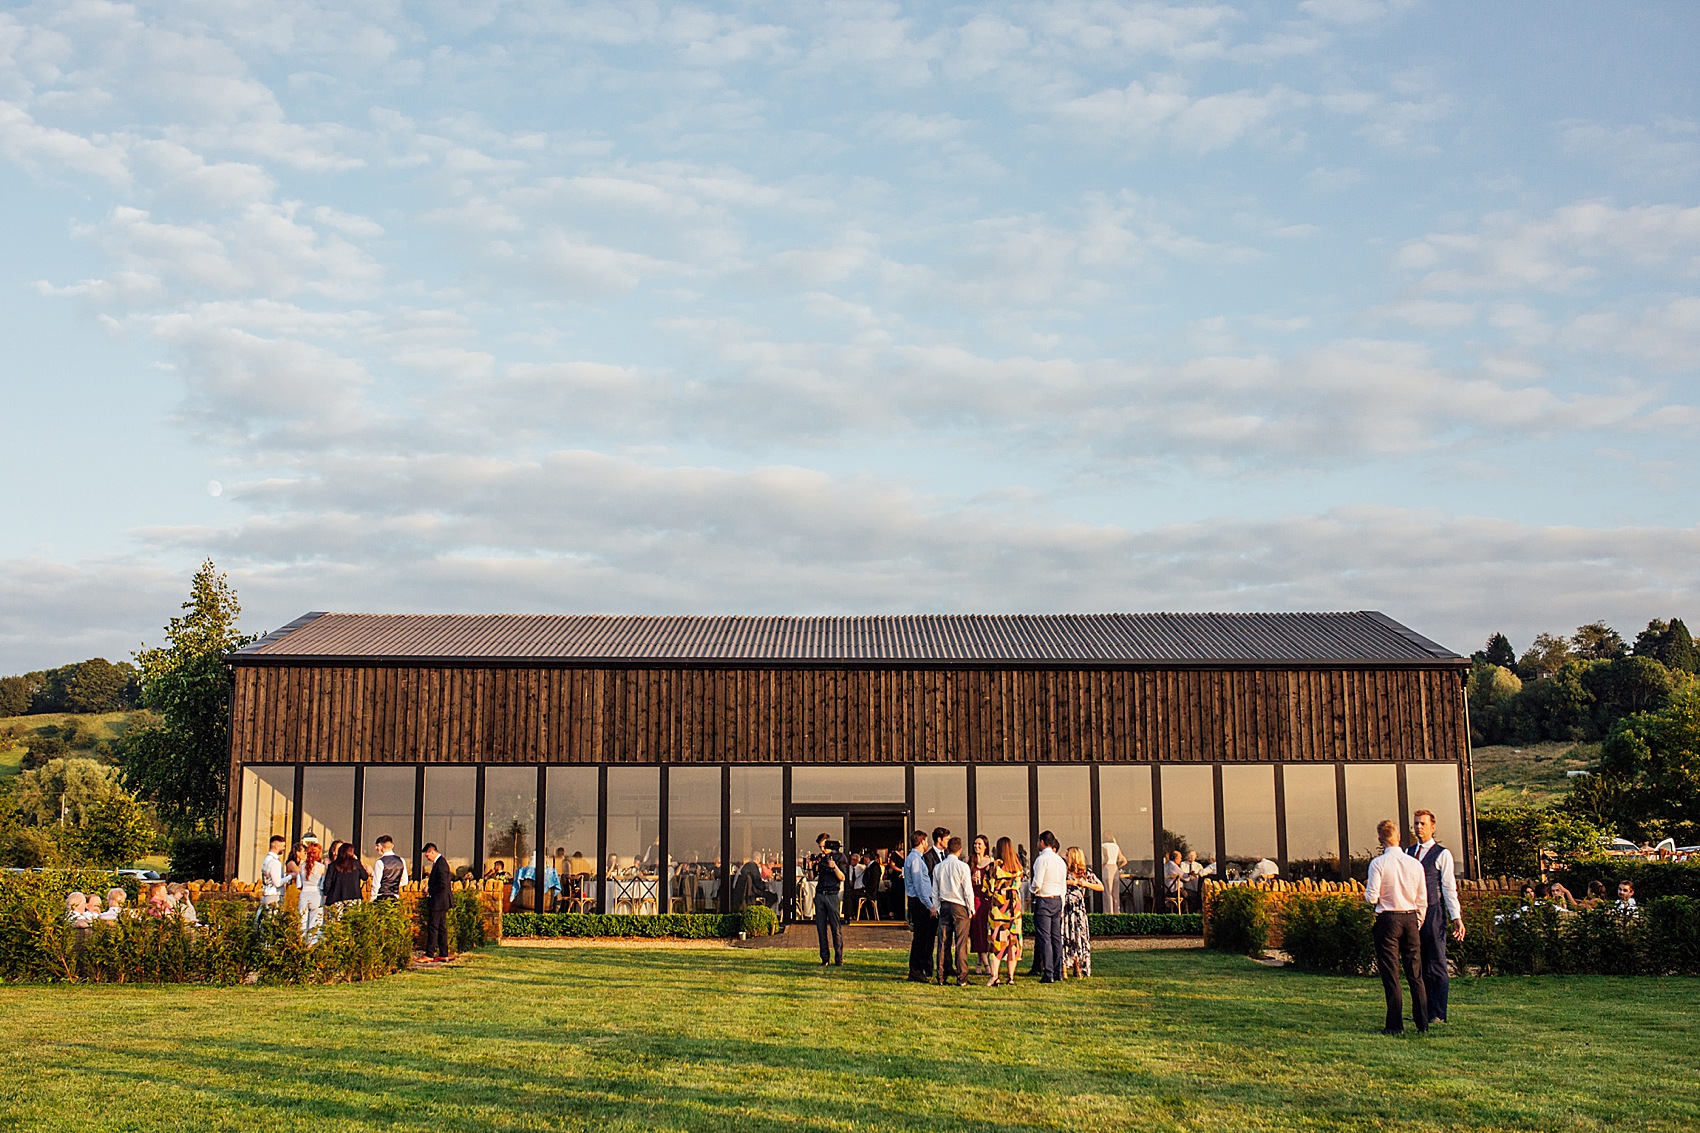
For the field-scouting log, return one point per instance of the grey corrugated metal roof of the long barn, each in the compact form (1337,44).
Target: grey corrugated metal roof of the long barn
(1357,637)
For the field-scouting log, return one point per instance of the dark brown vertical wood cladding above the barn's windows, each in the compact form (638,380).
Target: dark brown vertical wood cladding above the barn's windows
(327,714)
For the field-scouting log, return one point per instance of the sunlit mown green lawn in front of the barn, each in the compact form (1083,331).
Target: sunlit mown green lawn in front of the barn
(620,1039)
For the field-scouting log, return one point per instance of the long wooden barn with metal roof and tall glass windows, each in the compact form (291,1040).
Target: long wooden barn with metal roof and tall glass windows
(688,765)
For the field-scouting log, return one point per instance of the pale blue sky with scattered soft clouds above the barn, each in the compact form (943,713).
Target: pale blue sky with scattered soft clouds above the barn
(827,309)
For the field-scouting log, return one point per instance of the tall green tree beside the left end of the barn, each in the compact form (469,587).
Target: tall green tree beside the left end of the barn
(179,761)
